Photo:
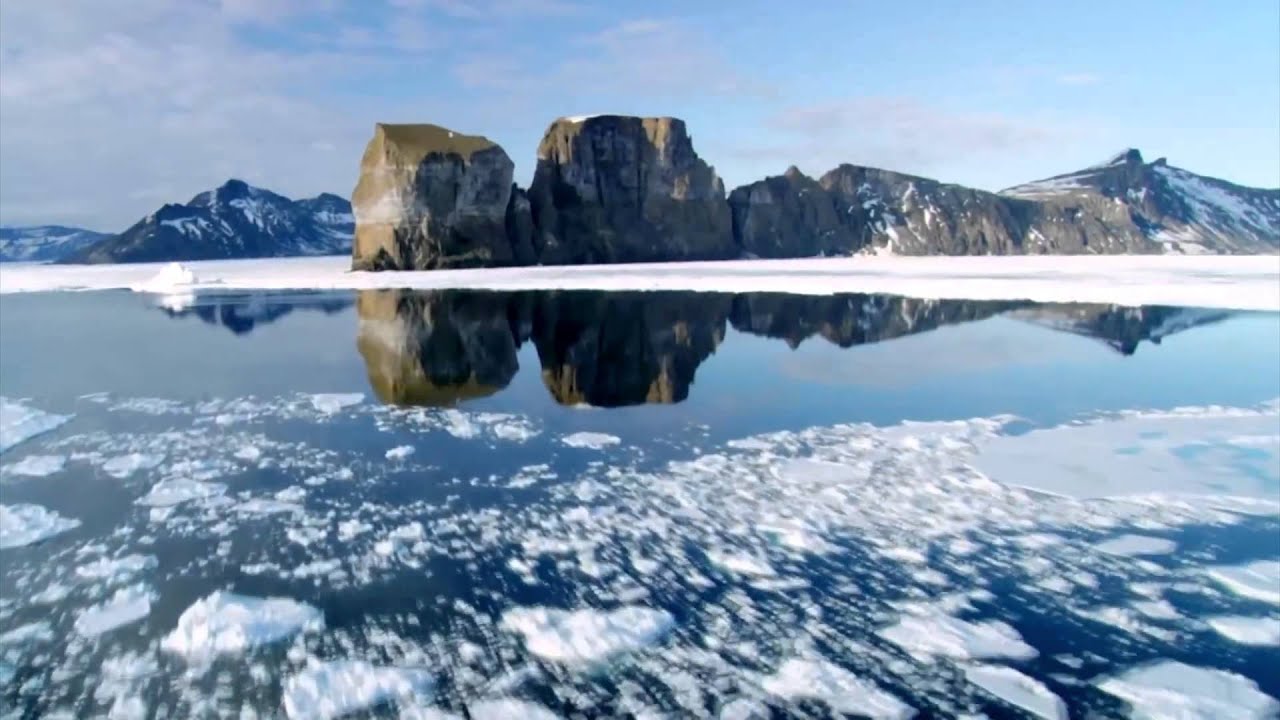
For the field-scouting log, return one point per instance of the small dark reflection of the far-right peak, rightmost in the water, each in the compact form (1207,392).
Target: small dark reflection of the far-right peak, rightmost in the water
(1123,329)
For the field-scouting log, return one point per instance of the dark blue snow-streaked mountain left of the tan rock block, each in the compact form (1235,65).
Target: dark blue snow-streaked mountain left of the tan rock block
(232,221)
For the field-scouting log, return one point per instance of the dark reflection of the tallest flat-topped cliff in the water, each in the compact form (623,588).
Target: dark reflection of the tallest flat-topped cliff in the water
(625,349)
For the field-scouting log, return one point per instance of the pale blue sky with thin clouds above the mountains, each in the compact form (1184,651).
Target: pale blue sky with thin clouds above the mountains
(111,110)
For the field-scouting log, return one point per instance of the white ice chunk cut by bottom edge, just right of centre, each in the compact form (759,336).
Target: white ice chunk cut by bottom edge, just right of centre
(839,689)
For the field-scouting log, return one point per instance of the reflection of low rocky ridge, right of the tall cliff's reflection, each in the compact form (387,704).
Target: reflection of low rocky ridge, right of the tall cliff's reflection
(852,320)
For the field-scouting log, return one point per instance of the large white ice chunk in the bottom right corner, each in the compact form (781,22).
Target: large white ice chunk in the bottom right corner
(1169,690)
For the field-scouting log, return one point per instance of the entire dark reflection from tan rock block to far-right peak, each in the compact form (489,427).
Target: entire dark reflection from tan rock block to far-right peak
(620,349)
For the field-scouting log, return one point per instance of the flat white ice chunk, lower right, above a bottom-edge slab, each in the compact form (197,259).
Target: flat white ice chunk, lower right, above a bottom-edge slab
(943,636)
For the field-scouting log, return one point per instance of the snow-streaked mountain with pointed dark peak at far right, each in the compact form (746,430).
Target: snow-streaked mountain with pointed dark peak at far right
(1178,209)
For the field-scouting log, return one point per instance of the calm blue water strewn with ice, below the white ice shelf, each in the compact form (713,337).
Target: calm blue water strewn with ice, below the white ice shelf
(634,505)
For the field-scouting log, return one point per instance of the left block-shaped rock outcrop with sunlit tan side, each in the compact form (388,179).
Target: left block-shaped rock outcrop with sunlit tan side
(429,198)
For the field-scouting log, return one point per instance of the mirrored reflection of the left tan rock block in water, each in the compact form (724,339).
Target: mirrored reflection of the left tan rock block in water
(438,348)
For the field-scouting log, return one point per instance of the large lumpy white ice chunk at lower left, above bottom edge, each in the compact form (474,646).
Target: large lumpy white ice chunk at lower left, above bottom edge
(230,625)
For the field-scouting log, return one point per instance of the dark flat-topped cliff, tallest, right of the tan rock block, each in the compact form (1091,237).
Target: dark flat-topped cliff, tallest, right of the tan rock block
(614,189)
